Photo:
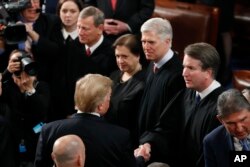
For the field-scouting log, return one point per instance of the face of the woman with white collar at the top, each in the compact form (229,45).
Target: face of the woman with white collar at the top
(69,13)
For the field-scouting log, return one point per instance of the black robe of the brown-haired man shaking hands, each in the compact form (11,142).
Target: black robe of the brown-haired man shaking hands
(177,138)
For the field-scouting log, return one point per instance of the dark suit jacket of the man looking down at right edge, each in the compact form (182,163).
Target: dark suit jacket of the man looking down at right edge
(217,145)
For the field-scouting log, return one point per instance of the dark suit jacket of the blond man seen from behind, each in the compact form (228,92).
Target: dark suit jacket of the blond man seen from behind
(106,145)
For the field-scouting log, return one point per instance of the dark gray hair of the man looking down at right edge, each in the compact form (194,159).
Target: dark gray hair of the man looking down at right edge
(231,101)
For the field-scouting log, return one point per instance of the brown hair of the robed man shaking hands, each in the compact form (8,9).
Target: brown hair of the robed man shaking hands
(206,54)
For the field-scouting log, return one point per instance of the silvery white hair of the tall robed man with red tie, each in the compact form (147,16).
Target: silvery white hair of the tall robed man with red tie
(161,27)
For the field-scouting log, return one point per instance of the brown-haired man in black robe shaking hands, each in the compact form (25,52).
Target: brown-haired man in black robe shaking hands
(191,114)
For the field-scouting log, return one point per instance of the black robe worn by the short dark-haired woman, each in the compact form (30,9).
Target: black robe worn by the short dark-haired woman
(125,101)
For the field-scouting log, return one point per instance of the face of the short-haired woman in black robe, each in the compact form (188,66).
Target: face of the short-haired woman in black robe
(126,61)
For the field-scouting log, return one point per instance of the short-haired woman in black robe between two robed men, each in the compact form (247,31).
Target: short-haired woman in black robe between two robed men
(128,84)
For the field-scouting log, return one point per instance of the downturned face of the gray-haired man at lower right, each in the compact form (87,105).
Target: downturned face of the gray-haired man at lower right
(237,124)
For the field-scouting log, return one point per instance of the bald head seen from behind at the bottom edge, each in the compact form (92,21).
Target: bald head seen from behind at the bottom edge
(69,151)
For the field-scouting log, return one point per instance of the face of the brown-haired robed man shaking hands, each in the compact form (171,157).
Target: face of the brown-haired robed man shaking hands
(195,77)
